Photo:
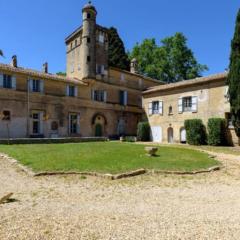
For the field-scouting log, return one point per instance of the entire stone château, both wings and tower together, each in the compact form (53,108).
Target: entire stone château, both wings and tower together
(95,99)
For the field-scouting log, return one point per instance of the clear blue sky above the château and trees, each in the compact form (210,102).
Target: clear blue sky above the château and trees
(35,30)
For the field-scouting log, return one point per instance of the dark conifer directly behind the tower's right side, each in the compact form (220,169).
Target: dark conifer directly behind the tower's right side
(117,55)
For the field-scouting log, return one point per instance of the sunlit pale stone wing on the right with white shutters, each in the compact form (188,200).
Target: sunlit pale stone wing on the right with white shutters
(168,106)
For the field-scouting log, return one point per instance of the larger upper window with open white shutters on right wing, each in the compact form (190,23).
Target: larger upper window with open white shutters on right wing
(187,104)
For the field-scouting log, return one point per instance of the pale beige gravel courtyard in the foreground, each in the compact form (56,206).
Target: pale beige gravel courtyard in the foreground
(204,206)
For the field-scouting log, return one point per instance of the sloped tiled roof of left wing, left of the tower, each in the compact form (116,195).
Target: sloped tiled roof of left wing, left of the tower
(38,74)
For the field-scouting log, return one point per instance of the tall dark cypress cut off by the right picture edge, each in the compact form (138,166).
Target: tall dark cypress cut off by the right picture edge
(234,77)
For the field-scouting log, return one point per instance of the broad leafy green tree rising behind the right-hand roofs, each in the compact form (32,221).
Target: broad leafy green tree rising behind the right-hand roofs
(172,61)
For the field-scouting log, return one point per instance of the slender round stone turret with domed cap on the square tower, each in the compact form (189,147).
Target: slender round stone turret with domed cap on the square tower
(88,48)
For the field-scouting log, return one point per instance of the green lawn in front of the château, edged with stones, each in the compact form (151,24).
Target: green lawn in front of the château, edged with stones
(105,157)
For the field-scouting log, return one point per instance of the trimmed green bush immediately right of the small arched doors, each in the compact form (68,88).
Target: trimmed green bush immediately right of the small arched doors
(196,132)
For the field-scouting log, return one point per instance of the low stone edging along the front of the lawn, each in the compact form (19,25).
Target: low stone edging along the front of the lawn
(108,176)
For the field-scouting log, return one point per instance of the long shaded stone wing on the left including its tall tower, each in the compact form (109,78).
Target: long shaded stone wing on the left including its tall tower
(92,100)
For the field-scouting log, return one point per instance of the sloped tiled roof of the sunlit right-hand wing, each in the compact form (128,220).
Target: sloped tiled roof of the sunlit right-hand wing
(187,83)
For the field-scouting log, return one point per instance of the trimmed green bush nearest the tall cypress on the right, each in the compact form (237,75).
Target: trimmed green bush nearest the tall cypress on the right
(216,131)
